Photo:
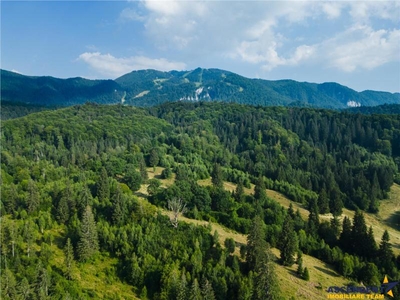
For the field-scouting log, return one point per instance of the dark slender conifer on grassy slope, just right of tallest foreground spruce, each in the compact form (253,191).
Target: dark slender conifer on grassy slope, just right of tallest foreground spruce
(287,242)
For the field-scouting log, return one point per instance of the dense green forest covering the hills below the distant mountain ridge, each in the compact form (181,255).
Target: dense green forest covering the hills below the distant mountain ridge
(70,199)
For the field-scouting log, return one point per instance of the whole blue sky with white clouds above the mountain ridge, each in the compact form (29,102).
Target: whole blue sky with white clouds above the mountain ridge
(354,43)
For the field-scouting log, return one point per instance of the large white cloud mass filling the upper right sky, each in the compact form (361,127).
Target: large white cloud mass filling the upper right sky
(269,34)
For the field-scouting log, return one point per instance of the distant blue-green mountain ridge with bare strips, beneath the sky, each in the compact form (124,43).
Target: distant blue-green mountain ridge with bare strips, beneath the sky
(151,87)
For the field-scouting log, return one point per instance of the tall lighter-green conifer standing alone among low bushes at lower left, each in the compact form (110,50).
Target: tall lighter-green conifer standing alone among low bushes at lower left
(88,240)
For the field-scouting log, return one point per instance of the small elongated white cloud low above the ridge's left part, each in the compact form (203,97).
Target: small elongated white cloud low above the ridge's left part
(109,65)
